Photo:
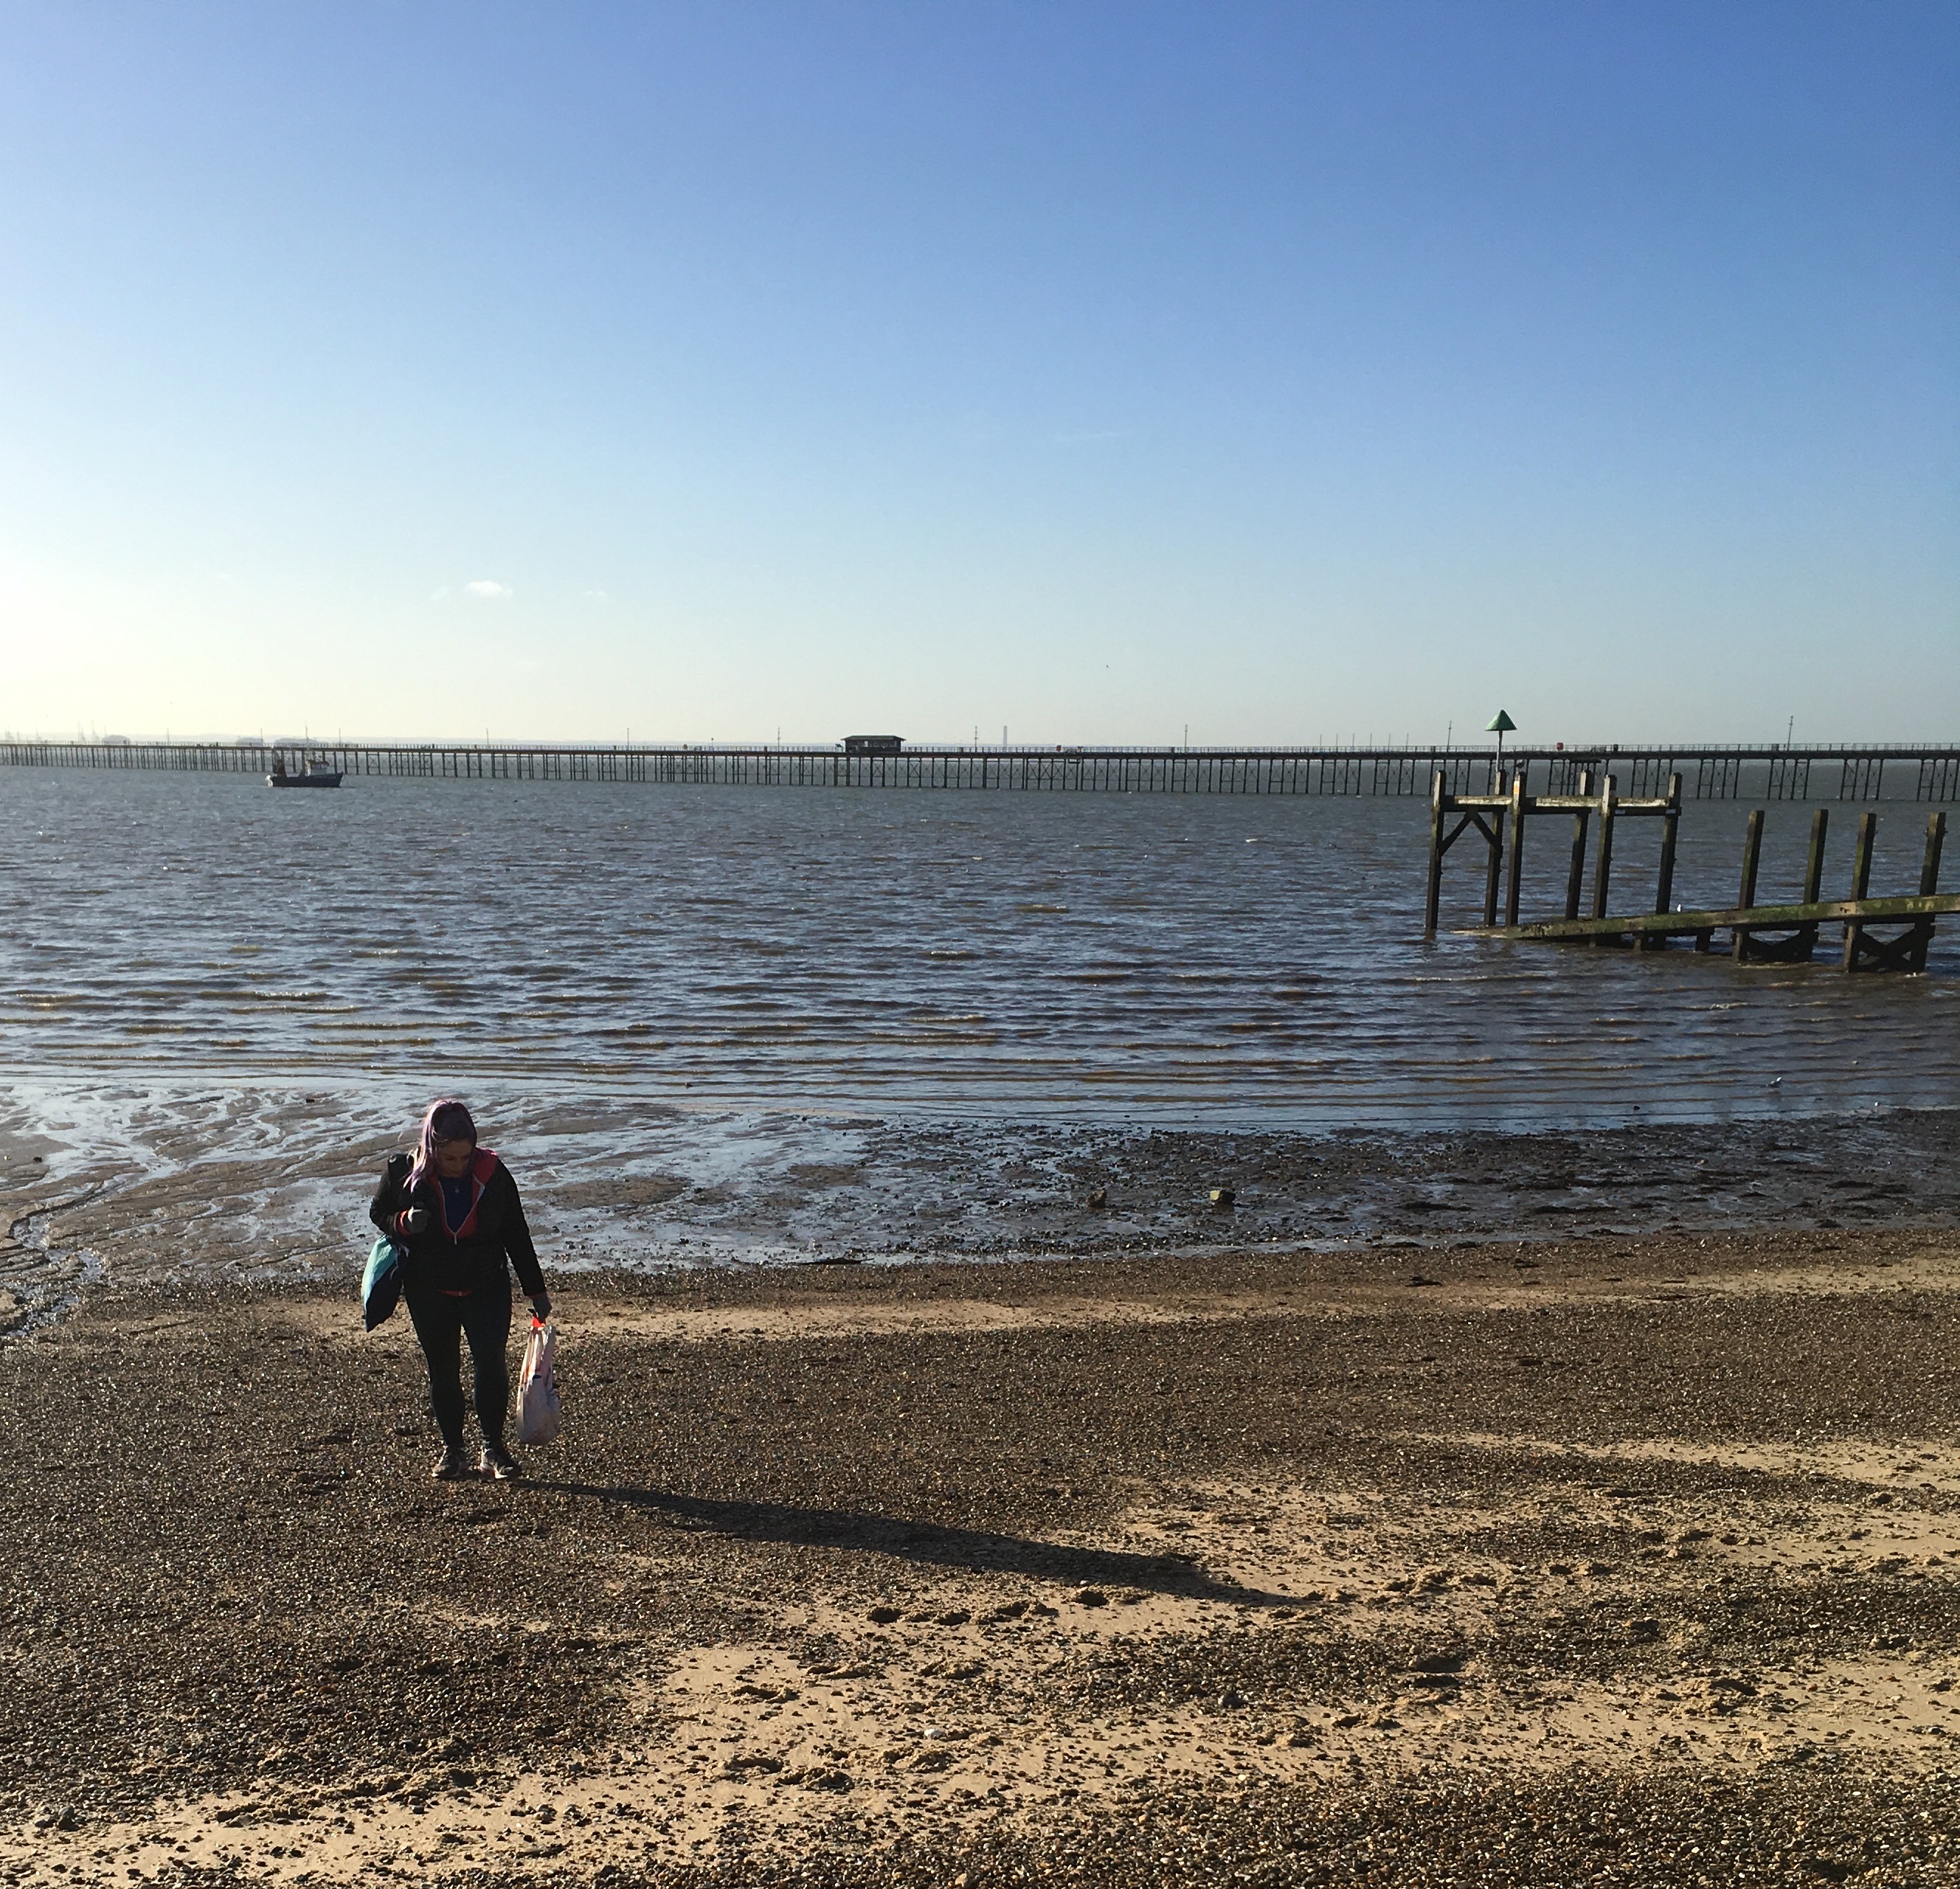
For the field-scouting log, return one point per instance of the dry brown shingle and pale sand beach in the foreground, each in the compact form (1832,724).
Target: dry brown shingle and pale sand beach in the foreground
(1555,1561)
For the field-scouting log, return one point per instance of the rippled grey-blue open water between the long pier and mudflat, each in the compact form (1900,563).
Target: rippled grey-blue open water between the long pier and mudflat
(1079,957)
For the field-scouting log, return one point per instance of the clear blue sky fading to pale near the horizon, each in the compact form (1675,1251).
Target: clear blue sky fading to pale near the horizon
(1122,373)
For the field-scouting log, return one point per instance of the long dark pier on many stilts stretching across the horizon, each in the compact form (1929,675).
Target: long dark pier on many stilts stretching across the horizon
(1902,771)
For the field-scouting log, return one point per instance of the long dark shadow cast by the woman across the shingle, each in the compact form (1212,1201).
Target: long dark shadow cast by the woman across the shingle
(979,1551)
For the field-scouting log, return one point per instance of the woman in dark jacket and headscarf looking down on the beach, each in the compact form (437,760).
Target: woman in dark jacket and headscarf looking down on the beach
(456,1212)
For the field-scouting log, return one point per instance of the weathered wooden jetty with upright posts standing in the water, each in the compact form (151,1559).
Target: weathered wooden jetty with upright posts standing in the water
(1757,934)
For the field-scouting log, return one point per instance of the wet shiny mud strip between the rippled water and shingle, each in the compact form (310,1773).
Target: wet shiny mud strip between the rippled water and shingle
(201,1196)
